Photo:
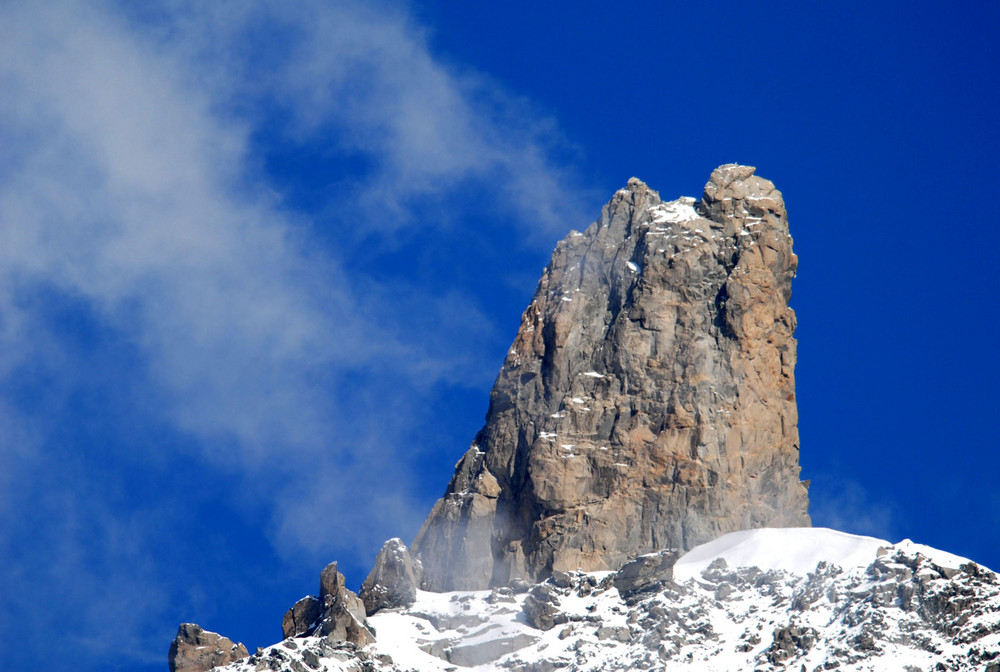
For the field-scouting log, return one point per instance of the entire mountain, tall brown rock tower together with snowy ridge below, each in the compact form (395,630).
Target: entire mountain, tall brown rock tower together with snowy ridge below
(643,421)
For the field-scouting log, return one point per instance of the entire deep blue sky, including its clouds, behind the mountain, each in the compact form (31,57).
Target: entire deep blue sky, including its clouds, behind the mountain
(259,265)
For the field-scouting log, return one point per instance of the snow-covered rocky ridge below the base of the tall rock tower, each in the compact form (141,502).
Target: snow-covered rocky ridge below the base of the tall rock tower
(753,600)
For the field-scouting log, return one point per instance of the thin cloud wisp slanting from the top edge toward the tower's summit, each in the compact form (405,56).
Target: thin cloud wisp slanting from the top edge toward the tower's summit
(363,79)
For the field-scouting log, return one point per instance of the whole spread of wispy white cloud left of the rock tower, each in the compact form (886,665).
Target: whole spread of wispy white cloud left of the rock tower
(132,185)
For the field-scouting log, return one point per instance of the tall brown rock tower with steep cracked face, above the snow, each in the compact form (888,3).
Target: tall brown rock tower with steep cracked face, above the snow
(648,400)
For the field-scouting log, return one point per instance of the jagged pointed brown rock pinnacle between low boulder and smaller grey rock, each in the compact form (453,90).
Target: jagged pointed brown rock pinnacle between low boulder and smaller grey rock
(338,614)
